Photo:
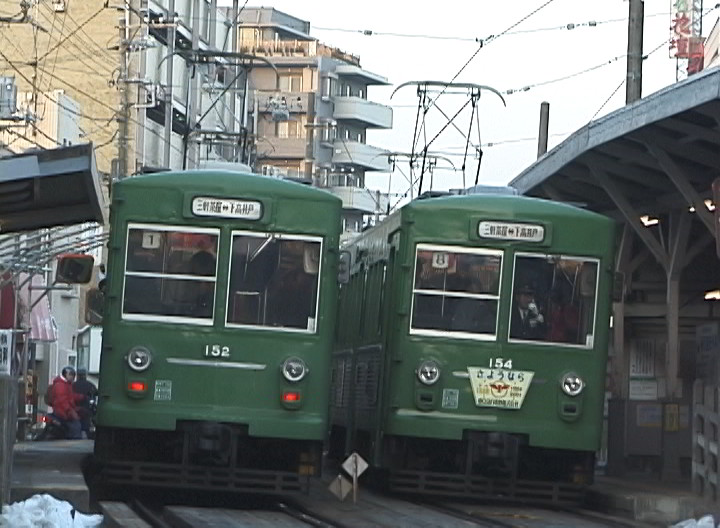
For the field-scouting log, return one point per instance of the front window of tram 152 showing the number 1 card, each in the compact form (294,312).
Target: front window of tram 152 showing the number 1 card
(170,272)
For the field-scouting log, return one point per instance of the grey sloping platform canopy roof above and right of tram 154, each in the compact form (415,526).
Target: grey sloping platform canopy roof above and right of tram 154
(659,153)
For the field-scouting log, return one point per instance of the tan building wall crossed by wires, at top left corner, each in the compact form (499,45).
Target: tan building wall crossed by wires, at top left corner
(65,45)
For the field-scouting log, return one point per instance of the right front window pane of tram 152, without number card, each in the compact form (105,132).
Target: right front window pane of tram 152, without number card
(274,281)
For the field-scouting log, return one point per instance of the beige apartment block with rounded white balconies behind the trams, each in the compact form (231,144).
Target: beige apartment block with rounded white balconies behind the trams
(309,111)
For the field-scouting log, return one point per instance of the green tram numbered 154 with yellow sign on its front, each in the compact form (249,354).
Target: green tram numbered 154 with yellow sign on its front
(471,346)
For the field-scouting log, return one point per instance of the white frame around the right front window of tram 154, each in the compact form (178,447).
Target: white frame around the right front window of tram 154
(548,293)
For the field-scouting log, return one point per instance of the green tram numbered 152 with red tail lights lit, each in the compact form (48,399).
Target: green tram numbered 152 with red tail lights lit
(219,317)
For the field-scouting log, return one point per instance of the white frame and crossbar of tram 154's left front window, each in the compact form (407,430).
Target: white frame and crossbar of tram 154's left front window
(458,296)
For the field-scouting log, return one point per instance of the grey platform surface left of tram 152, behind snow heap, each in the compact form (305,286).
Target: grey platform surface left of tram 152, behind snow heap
(52,467)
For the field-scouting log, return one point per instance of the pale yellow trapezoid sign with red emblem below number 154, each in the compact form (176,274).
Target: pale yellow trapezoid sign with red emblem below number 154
(501,388)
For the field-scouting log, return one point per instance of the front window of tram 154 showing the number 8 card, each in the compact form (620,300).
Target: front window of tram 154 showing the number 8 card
(456,290)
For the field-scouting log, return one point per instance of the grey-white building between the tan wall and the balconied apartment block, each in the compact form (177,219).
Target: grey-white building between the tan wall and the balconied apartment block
(197,72)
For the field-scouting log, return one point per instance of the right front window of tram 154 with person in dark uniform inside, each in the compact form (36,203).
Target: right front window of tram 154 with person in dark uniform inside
(554,299)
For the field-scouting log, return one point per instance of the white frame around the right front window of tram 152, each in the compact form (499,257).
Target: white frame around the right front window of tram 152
(312,324)
